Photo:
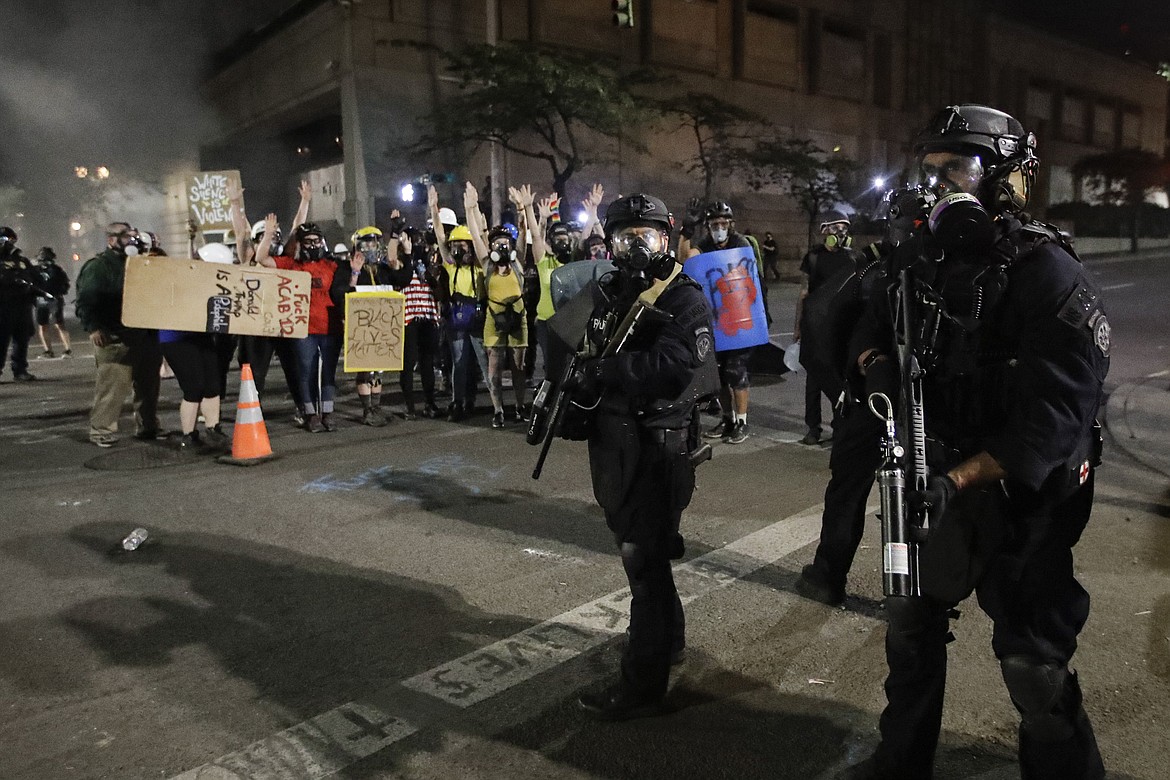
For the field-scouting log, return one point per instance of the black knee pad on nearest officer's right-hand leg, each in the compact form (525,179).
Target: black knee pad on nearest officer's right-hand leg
(1047,696)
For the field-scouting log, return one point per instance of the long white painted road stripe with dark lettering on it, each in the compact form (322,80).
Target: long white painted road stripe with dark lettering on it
(335,740)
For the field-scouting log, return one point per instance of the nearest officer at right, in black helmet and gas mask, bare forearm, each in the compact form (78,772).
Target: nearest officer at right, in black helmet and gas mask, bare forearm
(1013,383)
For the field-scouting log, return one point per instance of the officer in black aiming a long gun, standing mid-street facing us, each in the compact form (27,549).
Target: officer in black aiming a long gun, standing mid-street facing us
(643,427)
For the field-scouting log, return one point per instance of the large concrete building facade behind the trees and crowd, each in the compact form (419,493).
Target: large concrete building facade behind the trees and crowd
(336,91)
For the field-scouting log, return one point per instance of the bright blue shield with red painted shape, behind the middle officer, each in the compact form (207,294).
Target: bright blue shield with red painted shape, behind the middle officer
(732,285)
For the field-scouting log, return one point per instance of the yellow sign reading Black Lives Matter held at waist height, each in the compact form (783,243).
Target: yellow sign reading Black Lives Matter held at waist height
(374,332)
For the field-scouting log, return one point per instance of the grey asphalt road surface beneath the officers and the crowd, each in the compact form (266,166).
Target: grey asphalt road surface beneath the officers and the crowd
(408,603)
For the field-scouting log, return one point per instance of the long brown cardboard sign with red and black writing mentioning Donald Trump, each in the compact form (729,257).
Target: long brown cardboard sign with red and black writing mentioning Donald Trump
(190,295)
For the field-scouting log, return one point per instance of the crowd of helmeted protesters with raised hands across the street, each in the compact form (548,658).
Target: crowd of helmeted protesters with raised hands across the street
(478,303)
